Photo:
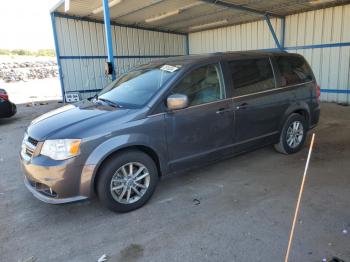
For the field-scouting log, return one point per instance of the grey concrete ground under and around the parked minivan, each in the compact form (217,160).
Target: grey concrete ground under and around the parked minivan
(245,211)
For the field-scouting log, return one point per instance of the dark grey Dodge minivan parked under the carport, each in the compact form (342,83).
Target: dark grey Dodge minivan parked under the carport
(166,116)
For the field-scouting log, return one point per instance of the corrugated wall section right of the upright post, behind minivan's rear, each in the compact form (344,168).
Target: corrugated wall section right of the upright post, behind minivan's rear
(330,63)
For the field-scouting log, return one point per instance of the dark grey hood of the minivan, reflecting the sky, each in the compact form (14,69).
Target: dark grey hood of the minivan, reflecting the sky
(71,121)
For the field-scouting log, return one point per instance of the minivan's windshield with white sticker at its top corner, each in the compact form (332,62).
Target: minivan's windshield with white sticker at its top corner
(137,87)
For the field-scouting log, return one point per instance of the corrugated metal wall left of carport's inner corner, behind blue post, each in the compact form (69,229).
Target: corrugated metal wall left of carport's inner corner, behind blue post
(83,51)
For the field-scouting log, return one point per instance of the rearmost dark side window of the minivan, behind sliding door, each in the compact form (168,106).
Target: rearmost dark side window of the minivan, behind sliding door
(294,70)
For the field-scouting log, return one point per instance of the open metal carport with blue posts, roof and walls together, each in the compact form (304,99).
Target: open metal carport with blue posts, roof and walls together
(323,33)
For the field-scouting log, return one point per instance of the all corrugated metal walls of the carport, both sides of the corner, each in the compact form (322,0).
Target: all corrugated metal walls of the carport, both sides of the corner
(322,36)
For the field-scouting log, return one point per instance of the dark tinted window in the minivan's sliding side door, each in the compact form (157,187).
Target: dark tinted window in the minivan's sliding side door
(251,76)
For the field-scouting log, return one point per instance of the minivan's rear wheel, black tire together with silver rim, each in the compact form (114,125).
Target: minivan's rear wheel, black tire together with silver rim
(288,145)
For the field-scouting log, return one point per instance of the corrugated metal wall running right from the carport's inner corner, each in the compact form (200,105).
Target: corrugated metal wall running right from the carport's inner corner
(322,36)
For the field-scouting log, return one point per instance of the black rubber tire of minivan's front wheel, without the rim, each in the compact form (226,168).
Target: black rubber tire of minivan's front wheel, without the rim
(109,169)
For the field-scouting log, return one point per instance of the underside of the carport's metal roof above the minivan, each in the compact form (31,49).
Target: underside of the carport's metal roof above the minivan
(189,15)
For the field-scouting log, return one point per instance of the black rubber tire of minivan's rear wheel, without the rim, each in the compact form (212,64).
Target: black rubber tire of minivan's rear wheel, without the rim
(292,118)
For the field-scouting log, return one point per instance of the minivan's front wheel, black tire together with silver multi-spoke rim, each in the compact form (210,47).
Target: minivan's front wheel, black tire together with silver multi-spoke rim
(115,195)
